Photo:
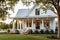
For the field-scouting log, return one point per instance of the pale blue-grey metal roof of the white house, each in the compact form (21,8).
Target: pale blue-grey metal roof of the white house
(25,13)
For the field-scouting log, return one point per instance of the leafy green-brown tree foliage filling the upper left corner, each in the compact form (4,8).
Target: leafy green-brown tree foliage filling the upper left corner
(4,7)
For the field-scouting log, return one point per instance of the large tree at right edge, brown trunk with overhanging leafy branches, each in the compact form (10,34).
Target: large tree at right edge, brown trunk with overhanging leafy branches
(55,3)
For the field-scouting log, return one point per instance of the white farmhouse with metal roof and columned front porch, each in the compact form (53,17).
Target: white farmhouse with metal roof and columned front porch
(34,19)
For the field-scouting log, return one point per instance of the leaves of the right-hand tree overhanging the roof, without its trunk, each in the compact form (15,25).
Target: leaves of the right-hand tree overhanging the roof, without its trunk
(44,4)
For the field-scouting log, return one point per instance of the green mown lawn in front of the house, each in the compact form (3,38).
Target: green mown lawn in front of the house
(24,37)
